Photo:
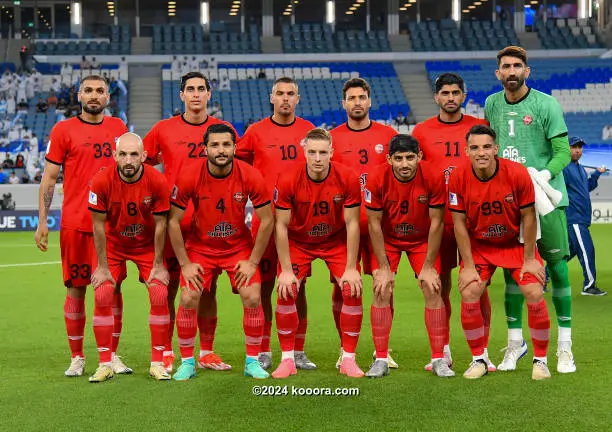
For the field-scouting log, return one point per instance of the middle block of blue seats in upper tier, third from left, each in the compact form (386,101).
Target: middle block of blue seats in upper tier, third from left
(319,38)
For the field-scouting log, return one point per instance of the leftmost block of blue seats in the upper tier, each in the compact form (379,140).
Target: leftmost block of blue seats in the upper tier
(115,40)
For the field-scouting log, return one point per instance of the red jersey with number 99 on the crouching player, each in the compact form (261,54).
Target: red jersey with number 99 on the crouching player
(492,207)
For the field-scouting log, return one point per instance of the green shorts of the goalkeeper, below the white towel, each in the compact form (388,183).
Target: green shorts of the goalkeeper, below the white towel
(554,244)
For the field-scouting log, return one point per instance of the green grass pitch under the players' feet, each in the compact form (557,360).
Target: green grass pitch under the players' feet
(34,394)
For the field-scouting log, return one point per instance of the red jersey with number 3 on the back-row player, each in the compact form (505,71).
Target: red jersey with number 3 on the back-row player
(361,151)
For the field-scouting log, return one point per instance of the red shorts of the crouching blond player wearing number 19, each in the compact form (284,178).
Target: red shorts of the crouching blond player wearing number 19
(302,256)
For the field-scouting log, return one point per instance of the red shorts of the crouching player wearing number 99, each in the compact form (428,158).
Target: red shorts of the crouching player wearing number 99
(487,258)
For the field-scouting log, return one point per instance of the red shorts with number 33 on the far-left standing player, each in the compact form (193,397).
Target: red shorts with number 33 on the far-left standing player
(79,258)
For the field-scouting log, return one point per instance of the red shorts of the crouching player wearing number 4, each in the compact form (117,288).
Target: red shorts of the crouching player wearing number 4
(213,265)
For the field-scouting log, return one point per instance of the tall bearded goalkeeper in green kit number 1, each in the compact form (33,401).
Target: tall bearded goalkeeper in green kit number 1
(531,130)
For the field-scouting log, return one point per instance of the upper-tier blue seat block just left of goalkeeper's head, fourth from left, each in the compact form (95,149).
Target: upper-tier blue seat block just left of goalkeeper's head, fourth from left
(445,35)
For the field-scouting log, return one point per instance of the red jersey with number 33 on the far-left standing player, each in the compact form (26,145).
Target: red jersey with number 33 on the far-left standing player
(82,148)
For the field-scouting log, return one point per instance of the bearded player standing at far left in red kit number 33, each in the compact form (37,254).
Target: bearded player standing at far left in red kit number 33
(81,146)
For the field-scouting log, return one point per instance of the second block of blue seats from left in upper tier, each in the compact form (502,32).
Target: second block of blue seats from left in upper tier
(190,39)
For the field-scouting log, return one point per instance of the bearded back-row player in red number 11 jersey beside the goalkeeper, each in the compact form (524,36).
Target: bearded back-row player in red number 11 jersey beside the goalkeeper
(442,141)
